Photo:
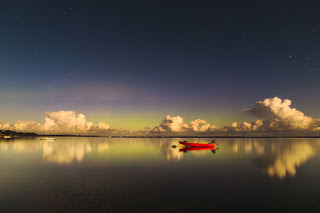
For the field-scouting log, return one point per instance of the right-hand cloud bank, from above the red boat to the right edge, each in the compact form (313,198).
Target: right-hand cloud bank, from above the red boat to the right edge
(275,115)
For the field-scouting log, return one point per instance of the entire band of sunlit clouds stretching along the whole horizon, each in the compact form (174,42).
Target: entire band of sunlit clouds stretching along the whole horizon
(274,115)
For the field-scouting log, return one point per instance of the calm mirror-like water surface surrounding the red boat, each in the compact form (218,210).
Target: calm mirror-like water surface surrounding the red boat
(148,175)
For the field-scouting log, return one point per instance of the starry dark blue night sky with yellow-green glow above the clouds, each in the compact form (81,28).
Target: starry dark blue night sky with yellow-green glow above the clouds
(130,63)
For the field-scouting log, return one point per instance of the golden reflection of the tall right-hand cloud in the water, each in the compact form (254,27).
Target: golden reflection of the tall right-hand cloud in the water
(277,159)
